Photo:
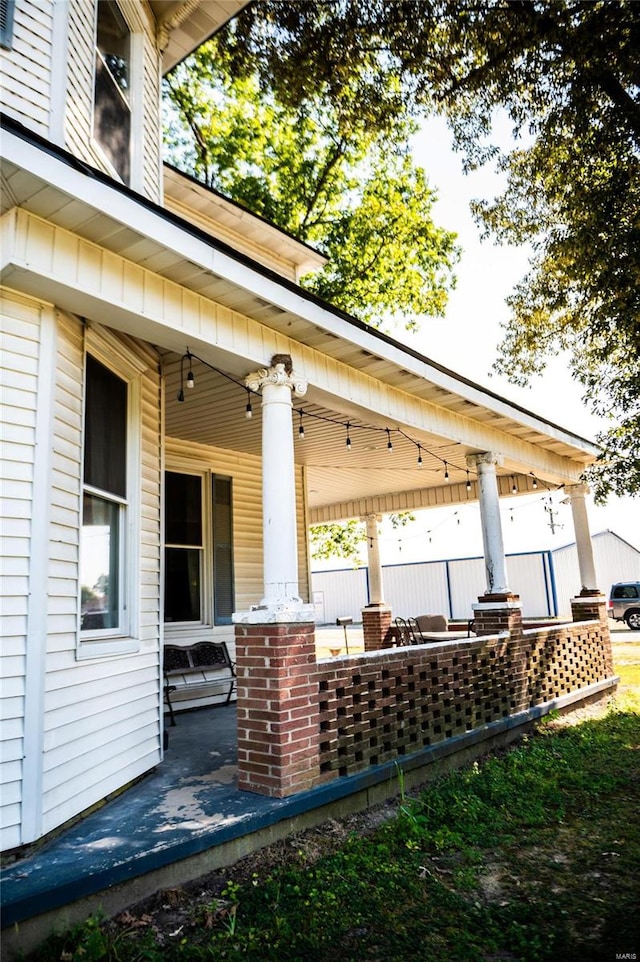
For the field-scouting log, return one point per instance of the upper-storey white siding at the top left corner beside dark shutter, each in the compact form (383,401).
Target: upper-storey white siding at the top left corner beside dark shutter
(25,87)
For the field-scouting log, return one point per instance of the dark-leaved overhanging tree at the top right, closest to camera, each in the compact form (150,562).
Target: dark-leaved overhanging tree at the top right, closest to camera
(567,73)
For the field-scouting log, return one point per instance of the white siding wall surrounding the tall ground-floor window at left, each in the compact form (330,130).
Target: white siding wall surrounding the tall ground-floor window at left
(101,715)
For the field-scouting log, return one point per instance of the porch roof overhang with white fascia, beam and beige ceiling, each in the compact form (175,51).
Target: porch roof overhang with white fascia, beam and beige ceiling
(74,237)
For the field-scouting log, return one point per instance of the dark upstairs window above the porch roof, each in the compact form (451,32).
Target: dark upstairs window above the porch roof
(112,105)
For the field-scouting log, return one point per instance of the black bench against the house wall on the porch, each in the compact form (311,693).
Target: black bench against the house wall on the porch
(197,671)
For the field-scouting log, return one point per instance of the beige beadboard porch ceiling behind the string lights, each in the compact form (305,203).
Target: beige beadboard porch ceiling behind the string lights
(341,482)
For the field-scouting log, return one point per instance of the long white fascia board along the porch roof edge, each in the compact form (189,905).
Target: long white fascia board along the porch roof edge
(154,224)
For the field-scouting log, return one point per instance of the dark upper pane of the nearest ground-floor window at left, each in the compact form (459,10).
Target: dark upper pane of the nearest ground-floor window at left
(105,430)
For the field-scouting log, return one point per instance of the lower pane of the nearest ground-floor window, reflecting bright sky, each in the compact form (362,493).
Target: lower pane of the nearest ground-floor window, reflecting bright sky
(99,555)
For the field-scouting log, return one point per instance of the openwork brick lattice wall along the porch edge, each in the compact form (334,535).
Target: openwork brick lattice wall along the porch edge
(374,708)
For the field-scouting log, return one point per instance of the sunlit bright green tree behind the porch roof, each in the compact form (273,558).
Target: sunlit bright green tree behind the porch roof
(353,193)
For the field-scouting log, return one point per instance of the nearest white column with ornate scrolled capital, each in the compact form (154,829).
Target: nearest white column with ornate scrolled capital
(280,542)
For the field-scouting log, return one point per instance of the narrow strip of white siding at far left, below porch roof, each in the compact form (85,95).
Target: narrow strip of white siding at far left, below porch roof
(19,360)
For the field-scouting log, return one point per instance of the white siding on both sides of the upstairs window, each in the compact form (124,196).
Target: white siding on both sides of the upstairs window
(146,169)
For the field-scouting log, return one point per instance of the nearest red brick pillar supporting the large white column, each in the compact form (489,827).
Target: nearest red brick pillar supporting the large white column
(278,715)
